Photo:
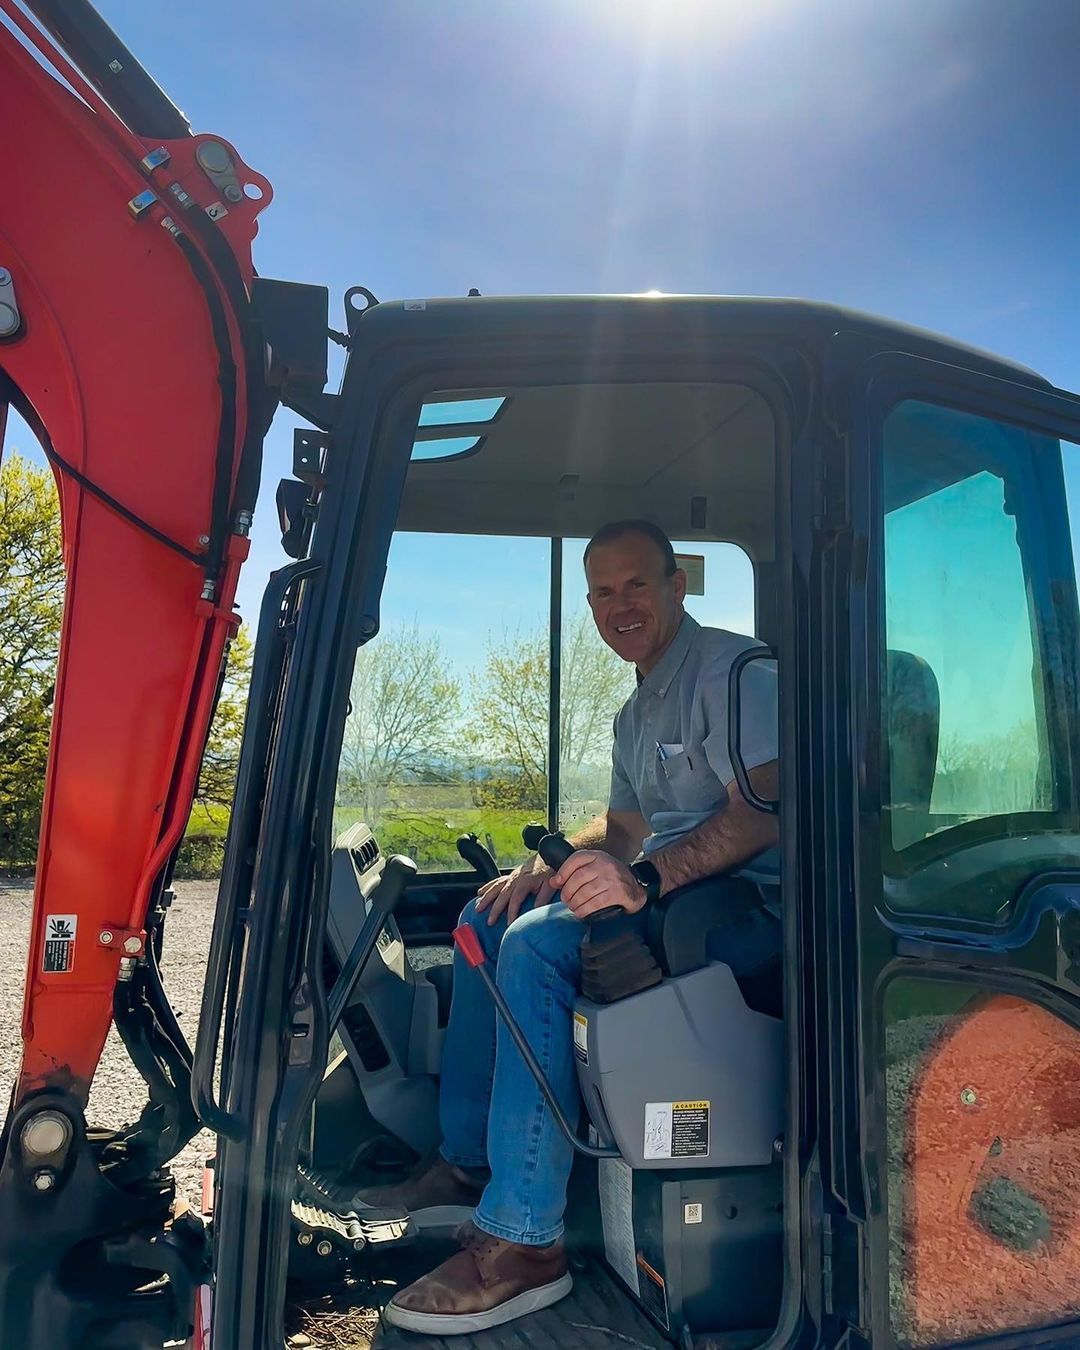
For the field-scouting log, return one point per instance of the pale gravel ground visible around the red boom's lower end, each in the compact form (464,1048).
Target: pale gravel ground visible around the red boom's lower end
(118,1093)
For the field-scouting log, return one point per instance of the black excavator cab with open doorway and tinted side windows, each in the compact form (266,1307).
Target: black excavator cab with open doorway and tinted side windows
(896,499)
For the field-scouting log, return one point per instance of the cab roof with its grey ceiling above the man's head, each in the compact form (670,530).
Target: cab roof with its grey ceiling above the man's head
(693,452)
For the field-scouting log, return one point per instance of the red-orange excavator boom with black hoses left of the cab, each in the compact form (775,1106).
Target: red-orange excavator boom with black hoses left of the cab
(130,344)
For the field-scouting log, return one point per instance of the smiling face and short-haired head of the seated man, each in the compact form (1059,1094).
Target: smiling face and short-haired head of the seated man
(637,607)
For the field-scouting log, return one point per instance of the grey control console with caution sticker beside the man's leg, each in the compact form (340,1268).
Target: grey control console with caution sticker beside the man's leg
(685,1078)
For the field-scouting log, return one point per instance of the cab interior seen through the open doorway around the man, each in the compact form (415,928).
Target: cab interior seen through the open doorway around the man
(529,464)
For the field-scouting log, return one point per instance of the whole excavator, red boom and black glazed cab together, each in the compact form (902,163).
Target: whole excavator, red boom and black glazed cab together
(877,1140)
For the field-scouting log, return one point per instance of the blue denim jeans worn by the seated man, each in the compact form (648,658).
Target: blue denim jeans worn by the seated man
(491,1110)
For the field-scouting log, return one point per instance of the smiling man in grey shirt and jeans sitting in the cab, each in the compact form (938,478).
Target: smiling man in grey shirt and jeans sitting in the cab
(674,807)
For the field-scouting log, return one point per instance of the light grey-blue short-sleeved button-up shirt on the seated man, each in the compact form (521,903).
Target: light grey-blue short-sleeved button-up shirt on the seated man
(672,761)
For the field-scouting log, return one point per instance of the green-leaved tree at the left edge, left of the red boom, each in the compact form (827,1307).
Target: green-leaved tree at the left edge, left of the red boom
(32,607)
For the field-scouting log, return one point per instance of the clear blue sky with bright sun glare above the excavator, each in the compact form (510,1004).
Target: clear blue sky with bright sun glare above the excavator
(917,160)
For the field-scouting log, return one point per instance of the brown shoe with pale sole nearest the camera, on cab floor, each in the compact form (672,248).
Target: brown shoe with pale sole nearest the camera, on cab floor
(488,1283)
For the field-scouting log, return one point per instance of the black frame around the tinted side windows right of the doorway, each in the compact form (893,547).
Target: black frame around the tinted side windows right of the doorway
(867,944)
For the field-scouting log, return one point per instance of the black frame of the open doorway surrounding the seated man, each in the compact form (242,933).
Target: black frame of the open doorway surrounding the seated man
(399,354)
